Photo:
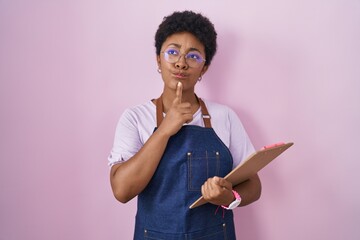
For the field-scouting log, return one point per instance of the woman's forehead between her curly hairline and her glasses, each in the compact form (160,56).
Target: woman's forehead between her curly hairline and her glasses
(185,41)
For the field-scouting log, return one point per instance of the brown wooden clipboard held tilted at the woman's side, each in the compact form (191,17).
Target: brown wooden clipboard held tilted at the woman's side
(253,164)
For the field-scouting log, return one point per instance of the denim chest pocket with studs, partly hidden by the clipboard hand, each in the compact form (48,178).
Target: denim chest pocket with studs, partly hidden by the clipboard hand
(201,166)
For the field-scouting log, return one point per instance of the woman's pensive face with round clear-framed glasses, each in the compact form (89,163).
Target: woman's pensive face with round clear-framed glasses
(182,59)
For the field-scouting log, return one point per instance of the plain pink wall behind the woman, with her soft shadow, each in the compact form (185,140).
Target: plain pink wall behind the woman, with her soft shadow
(290,69)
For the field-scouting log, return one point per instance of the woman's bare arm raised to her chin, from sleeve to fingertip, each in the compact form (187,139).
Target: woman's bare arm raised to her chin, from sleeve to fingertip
(129,178)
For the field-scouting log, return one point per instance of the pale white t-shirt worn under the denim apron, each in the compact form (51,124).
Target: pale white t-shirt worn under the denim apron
(137,124)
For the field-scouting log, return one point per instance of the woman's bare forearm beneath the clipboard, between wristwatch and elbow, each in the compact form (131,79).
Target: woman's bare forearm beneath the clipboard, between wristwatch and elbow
(250,190)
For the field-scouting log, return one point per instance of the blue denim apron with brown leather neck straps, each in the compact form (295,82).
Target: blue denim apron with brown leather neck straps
(192,155)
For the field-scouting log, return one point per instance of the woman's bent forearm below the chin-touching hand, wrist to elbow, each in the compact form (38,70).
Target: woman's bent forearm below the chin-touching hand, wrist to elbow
(128,179)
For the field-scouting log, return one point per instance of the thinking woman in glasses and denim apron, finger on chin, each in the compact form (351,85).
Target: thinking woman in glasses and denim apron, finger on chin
(171,150)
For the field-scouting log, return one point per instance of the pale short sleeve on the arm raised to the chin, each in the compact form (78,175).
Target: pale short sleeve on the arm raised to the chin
(127,140)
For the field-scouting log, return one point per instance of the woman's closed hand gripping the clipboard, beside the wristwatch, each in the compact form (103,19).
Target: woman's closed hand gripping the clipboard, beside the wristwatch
(217,191)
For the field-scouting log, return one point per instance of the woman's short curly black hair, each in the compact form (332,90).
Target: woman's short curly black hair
(188,21)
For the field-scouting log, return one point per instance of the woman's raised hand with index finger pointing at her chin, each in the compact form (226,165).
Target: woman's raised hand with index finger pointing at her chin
(178,114)
